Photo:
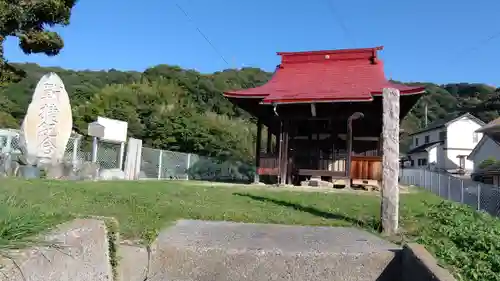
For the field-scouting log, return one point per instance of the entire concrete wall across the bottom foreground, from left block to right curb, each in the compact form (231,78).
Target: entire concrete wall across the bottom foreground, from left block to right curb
(85,249)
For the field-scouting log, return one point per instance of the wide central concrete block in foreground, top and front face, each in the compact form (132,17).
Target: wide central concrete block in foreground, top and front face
(201,250)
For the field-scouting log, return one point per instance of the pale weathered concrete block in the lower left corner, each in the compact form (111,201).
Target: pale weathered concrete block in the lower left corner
(80,253)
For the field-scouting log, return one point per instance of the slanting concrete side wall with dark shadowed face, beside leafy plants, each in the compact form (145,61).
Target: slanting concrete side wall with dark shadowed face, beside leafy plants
(419,265)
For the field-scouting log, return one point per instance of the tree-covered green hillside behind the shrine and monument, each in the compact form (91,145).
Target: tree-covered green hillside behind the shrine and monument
(183,110)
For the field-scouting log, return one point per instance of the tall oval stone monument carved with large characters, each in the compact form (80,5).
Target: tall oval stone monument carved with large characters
(48,123)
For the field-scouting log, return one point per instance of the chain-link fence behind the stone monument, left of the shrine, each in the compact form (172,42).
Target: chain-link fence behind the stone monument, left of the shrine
(155,164)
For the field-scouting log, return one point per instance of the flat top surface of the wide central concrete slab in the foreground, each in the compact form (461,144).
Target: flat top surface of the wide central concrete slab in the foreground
(272,237)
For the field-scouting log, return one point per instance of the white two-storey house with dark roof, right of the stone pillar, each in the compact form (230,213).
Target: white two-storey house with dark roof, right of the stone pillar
(445,144)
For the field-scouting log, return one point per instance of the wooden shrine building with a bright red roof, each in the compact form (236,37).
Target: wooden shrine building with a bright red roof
(323,113)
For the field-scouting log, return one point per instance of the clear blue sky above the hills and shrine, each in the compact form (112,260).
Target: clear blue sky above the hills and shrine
(438,41)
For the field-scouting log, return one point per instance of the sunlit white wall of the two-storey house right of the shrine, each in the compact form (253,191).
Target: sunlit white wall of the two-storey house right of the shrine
(460,141)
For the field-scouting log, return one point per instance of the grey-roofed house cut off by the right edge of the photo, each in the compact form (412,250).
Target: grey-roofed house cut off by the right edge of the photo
(489,146)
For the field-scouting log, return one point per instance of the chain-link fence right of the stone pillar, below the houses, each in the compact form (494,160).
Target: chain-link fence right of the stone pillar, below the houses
(478,195)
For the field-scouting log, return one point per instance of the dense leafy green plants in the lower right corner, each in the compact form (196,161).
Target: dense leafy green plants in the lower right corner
(465,240)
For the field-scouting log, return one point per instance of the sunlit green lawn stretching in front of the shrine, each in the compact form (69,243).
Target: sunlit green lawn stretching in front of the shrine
(142,208)
